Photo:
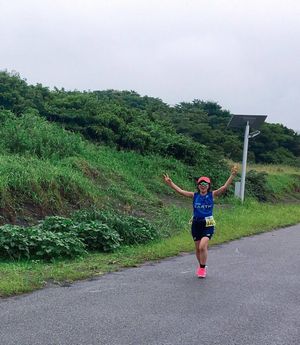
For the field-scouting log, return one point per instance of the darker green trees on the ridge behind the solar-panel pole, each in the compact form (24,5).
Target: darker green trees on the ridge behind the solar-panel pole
(206,123)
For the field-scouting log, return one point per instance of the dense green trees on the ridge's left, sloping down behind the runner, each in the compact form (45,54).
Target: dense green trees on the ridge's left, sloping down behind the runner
(113,118)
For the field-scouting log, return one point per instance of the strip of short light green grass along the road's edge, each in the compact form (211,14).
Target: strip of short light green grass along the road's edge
(233,222)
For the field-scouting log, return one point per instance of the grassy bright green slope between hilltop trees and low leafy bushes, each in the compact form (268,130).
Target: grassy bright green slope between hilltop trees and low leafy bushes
(49,167)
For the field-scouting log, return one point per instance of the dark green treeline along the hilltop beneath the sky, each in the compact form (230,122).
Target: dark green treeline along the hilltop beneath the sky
(125,120)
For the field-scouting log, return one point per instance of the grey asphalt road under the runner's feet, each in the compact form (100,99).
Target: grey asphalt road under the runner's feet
(251,296)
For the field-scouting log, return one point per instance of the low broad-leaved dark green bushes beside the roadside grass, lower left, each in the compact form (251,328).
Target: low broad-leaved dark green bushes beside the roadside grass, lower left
(59,237)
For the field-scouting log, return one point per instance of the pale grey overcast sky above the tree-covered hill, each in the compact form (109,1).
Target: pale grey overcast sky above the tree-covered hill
(244,55)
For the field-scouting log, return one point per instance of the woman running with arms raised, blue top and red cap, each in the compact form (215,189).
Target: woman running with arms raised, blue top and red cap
(203,221)
